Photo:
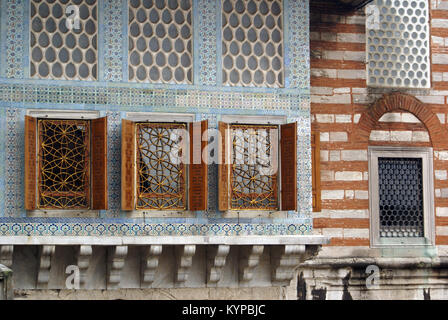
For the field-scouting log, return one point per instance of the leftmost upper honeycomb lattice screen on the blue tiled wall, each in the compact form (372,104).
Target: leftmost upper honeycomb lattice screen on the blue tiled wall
(63,45)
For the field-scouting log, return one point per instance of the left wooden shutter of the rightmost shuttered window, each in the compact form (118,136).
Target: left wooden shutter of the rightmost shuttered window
(224,167)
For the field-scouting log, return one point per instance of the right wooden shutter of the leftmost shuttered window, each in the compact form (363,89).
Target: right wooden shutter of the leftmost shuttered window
(99,163)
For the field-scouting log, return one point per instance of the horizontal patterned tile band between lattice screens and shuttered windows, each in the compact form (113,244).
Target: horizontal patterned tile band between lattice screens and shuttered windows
(162,98)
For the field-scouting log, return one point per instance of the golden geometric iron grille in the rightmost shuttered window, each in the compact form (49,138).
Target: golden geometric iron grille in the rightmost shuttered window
(253,174)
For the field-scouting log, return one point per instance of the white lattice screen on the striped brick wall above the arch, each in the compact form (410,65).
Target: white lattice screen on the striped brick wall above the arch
(398,44)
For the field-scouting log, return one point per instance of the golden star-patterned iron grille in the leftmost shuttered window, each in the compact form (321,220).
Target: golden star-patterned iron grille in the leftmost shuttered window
(64,164)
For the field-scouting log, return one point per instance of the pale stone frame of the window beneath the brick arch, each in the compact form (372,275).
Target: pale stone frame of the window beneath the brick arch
(424,153)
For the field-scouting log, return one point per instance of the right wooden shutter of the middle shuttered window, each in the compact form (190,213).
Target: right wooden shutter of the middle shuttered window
(198,186)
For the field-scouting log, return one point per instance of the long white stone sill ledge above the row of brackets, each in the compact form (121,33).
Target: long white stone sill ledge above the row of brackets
(165,240)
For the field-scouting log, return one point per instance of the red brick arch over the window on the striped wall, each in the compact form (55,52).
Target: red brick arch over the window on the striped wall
(400,101)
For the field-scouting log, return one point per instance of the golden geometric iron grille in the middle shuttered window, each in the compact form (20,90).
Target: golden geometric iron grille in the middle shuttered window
(161,173)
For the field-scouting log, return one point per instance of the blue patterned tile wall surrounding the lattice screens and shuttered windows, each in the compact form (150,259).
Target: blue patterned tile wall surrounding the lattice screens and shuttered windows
(113,96)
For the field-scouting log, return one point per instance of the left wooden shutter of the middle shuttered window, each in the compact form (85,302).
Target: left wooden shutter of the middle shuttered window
(127,165)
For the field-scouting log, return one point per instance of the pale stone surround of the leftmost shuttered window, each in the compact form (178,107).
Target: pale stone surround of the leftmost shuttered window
(64,115)
